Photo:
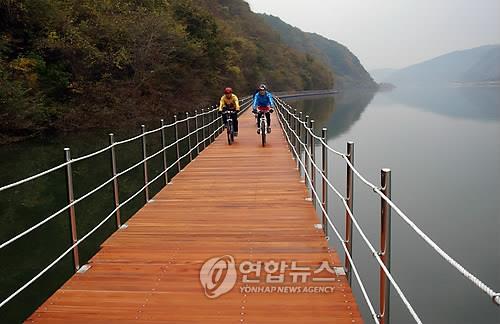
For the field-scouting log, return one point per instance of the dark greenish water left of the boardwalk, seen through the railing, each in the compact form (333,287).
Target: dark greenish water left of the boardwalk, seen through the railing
(25,205)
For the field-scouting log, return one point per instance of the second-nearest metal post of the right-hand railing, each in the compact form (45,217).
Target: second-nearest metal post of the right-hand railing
(349,199)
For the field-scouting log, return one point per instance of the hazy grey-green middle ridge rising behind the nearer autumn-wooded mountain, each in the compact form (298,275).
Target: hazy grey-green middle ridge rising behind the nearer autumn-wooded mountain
(347,68)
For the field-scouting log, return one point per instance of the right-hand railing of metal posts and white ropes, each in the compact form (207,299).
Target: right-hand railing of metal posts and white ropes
(301,138)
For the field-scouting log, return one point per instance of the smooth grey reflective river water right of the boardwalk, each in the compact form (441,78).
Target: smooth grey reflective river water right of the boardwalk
(443,148)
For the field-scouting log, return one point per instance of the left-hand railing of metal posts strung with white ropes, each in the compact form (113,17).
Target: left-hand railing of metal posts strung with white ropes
(210,128)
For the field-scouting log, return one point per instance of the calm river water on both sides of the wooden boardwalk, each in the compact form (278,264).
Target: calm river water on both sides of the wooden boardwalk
(442,146)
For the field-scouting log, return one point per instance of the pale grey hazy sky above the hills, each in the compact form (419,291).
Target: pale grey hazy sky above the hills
(393,33)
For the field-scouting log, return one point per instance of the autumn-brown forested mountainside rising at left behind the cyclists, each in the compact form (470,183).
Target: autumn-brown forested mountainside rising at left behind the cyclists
(67,64)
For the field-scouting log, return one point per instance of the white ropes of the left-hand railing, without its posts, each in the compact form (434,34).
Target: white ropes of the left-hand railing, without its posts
(216,121)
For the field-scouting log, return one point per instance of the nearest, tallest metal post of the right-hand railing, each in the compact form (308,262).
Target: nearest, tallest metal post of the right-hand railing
(385,246)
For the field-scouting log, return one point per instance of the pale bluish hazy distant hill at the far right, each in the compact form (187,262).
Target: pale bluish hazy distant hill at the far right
(479,64)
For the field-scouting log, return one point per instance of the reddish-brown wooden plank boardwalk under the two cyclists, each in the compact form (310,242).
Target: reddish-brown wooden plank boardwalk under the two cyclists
(243,200)
